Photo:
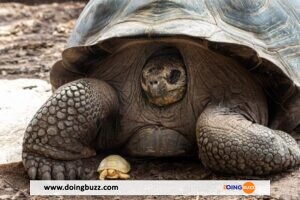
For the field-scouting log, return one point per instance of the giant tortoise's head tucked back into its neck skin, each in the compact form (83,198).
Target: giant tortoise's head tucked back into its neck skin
(164,77)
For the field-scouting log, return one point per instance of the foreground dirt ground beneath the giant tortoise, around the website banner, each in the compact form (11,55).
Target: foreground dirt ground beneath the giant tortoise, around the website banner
(14,182)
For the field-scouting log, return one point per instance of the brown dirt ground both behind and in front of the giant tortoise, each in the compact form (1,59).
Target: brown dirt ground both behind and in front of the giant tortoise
(32,37)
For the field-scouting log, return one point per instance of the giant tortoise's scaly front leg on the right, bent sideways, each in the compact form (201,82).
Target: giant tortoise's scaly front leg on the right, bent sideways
(230,143)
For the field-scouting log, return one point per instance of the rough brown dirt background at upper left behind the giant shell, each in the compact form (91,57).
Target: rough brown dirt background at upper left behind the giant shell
(33,35)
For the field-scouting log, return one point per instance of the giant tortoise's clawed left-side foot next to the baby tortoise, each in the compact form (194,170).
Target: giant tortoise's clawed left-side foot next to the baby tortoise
(39,167)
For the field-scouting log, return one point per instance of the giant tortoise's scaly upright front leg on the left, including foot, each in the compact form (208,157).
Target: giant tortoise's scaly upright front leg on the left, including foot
(63,130)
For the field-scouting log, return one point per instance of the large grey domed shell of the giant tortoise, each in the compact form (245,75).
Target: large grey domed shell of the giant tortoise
(264,34)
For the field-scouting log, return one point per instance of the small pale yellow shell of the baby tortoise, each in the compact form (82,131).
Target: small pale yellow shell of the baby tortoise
(114,162)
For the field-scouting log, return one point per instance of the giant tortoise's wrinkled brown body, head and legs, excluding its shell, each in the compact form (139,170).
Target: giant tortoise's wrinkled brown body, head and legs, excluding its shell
(218,111)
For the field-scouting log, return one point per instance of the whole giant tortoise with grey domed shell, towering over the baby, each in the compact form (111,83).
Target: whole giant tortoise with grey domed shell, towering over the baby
(151,78)
